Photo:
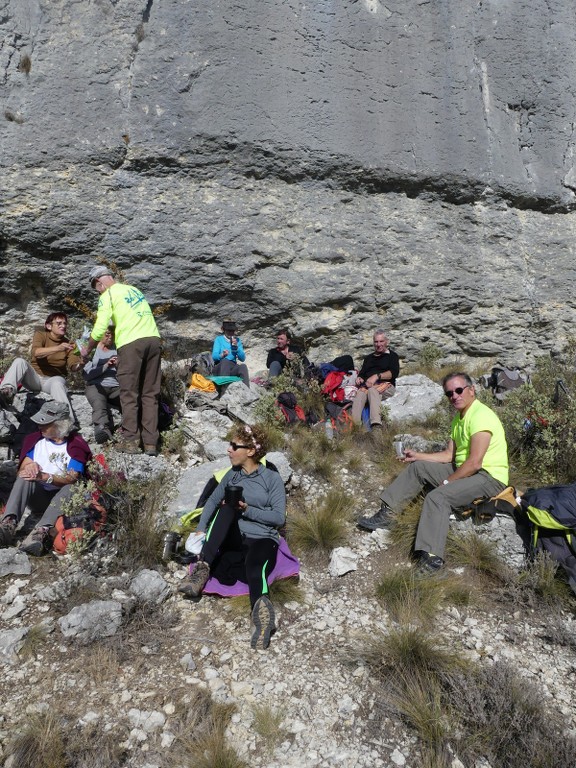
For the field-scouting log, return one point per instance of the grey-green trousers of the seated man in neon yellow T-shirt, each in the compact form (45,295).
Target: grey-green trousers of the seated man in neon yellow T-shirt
(438,504)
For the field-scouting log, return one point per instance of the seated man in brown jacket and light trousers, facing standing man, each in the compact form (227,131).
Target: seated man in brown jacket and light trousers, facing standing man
(52,355)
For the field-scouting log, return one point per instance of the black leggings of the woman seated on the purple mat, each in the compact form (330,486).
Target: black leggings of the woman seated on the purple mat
(232,556)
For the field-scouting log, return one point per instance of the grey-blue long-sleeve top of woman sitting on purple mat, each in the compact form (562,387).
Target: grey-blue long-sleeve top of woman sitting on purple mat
(265,495)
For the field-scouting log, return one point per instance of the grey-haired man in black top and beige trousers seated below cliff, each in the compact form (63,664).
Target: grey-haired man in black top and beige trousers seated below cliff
(376,380)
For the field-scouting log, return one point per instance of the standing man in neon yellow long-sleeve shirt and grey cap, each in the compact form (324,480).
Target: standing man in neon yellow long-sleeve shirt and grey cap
(138,345)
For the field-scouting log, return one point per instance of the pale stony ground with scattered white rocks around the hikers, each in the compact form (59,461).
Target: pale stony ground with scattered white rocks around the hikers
(124,673)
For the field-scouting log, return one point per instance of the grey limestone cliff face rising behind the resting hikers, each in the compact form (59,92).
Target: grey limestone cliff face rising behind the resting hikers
(334,165)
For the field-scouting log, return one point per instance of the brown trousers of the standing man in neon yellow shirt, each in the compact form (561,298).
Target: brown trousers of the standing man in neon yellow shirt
(139,376)
